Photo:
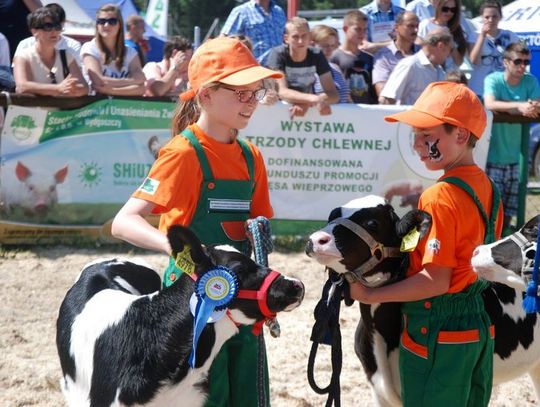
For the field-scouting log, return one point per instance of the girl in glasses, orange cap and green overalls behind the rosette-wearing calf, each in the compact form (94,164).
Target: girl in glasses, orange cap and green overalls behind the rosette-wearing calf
(209,180)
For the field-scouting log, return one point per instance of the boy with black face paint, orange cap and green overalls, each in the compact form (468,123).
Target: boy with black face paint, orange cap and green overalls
(446,349)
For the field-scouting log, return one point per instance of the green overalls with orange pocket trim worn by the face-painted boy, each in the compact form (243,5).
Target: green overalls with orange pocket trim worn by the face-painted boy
(446,349)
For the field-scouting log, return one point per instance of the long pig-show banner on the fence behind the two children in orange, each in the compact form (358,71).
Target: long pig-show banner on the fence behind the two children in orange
(65,174)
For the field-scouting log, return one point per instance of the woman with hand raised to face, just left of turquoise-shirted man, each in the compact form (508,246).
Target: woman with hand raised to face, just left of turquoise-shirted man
(490,43)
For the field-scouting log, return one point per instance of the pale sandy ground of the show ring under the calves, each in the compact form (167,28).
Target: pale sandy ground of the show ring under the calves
(33,284)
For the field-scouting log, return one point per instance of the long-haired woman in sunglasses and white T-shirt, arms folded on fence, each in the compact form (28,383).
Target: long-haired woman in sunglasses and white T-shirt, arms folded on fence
(111,66)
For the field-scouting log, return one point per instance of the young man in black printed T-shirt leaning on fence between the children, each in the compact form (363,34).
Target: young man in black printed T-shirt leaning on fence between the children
(301,63)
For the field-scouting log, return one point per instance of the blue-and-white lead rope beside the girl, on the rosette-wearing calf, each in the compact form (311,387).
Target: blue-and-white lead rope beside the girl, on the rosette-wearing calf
(262,246)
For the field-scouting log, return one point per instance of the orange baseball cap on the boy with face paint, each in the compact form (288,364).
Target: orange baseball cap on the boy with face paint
(445,102)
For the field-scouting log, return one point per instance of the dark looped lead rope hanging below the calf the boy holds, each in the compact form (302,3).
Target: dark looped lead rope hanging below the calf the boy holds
(326,330)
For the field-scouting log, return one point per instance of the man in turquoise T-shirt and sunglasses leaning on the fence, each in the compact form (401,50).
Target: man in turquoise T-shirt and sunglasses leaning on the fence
(513,91)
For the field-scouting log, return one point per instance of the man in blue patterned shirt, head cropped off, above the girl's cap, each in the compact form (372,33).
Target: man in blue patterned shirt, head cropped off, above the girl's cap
(263,21)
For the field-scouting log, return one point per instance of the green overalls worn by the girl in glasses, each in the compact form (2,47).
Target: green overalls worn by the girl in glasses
(240,368)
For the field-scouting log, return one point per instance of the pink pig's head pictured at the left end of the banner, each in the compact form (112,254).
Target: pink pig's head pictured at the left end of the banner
(33,191)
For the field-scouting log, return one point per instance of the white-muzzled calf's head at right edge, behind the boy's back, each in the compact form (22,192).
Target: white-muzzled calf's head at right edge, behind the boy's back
(509,260)
